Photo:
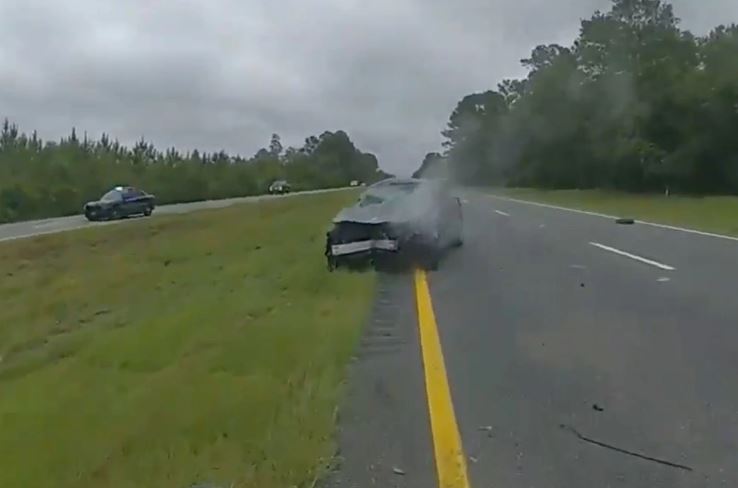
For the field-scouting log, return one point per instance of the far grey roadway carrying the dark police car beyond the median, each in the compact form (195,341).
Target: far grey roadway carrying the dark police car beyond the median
(22,230)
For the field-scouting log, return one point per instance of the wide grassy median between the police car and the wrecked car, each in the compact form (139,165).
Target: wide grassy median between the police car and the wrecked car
(201,348)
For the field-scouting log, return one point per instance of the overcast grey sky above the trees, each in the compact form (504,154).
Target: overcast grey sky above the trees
(214,74)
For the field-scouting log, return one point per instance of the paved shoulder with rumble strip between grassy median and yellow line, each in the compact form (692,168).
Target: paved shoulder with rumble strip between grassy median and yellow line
(384,436)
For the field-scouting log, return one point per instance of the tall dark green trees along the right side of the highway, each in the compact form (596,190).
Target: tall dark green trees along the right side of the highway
(635,103)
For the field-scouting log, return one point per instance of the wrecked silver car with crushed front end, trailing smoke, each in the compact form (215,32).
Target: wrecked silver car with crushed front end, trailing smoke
(414,218)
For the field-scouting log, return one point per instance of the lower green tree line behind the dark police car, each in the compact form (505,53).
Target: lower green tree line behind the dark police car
(44,179)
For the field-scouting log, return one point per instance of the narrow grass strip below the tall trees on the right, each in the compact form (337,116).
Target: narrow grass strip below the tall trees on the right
(712,214)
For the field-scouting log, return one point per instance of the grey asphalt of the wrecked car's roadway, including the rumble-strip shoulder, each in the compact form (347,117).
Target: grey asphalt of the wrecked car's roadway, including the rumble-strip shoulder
(579,353)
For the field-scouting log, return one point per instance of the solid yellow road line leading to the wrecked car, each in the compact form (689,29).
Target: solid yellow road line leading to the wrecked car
(450,460)
